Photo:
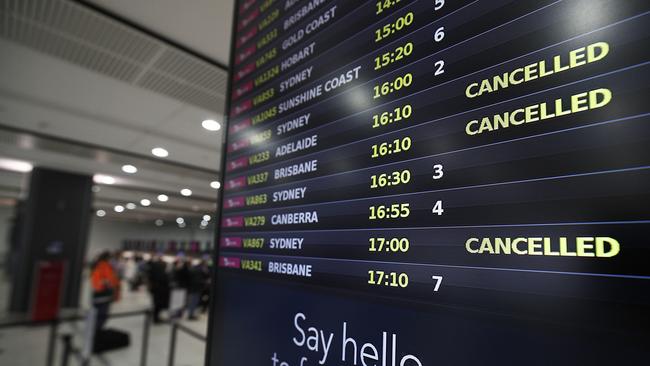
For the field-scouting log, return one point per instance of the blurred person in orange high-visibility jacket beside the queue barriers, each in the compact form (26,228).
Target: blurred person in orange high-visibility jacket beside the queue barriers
(106,288)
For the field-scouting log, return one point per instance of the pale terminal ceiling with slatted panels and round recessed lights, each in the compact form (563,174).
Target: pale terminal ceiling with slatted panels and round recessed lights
(83,91)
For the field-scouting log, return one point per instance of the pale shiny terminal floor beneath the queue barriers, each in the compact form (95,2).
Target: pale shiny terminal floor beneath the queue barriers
(26,346)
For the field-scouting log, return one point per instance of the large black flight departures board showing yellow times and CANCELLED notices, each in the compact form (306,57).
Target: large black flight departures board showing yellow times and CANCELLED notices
(436,182)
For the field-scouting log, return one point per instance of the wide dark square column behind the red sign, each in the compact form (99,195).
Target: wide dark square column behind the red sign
(54,233)
